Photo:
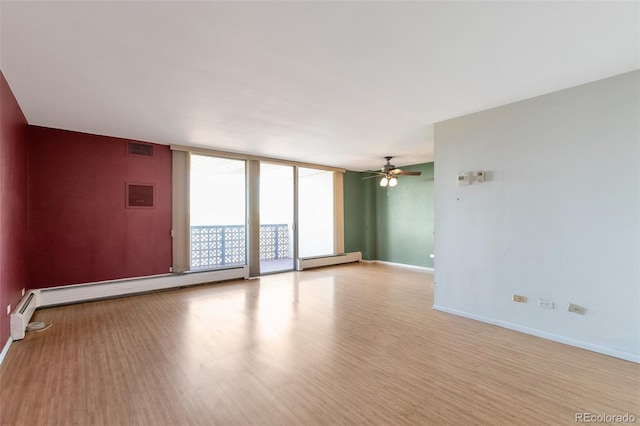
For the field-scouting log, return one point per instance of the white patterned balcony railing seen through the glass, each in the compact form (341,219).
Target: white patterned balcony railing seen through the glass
(215,246)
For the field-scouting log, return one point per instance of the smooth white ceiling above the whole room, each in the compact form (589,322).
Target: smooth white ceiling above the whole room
(334,83)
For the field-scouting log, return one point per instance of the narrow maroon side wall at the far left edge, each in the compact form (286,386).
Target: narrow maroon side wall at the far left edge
(13,205)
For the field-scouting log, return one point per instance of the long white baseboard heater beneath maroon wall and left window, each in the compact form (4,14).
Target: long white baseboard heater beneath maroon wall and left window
(107,289)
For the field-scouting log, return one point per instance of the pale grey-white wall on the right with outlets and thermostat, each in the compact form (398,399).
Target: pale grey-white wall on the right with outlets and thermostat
(558,217)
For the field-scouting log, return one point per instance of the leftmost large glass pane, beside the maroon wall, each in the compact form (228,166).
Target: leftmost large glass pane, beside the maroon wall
(217,213)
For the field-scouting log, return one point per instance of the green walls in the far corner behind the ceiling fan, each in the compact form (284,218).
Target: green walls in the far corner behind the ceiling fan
(391,224)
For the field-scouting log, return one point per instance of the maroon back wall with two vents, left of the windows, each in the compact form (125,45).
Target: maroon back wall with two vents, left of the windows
(80,228)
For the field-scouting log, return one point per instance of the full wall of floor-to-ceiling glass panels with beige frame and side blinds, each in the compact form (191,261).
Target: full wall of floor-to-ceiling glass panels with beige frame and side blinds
(232,212)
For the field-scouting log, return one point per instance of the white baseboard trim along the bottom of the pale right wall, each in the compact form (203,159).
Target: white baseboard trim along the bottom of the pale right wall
(543,334)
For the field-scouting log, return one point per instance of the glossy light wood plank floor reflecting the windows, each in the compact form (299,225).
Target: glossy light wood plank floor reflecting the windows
(354,344)
